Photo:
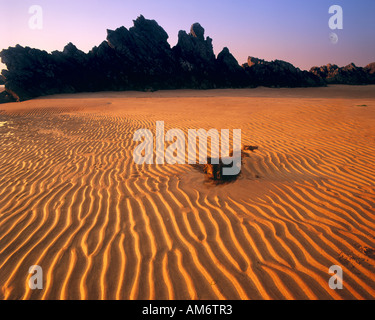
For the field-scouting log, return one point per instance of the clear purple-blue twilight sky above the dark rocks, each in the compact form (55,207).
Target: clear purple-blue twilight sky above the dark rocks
(295,31)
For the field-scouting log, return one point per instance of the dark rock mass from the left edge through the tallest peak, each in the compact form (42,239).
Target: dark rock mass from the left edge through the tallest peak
(134,59)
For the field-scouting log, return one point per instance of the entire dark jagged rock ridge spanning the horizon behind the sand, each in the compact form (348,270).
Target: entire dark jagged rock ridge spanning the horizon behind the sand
(141,59)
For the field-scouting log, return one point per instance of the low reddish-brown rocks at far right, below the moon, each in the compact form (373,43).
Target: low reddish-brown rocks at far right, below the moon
(350,74)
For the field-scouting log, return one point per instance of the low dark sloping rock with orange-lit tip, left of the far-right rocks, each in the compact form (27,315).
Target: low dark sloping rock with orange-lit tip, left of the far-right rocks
(279,74)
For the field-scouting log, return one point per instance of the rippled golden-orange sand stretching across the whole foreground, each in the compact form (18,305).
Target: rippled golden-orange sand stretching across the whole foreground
(73,201)
